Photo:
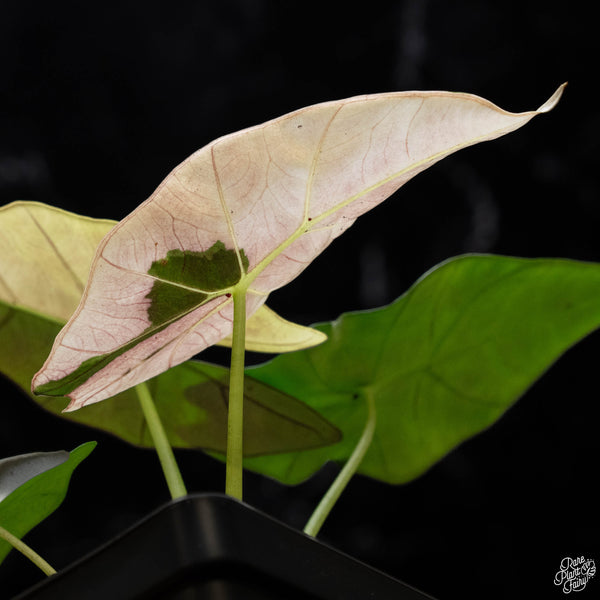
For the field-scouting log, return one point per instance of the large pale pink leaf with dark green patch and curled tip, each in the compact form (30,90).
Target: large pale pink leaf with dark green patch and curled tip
(248,213)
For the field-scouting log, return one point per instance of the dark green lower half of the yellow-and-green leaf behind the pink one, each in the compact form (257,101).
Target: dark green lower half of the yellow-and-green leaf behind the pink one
(191,399)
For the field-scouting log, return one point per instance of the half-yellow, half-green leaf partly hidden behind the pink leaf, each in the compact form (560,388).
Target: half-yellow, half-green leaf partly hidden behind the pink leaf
(36,296)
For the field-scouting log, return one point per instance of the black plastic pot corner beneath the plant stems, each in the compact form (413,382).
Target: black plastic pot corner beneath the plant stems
(209,547)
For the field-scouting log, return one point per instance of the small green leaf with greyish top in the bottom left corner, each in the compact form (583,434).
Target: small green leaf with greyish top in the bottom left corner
(41,492)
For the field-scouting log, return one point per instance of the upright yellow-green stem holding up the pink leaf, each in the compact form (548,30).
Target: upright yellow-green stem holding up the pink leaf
(235,415)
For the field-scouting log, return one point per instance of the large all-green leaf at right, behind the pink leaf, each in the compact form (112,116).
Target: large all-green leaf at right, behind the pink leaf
(443,362)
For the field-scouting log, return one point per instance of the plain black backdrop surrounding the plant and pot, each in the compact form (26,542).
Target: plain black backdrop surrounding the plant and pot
(99,101)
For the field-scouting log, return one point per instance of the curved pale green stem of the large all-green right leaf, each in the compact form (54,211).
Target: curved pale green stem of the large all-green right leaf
(341,481)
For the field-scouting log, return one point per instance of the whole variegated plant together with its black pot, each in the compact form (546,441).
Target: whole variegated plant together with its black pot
(388,393)
